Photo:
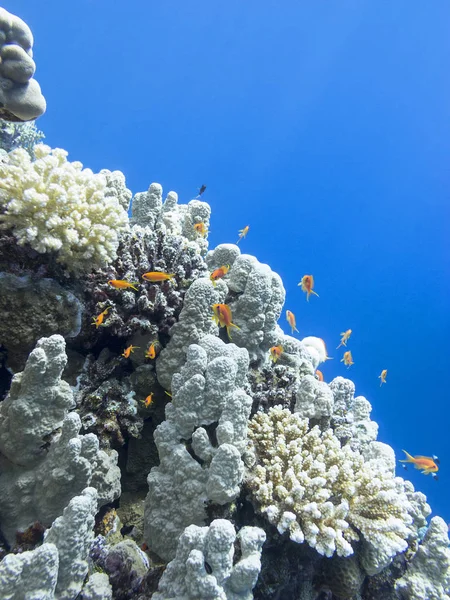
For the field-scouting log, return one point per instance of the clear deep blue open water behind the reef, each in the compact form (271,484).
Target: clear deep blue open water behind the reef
(324,126)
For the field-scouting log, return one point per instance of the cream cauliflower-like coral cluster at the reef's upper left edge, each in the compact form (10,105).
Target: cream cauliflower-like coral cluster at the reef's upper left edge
(55,205)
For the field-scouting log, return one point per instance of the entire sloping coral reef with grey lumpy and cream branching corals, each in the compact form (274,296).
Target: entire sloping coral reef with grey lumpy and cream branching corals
(143,453)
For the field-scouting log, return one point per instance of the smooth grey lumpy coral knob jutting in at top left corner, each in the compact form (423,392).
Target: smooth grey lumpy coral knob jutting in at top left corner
(20,95)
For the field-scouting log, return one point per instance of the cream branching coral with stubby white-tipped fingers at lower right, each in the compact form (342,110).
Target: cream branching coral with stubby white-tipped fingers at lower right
(308,485)
